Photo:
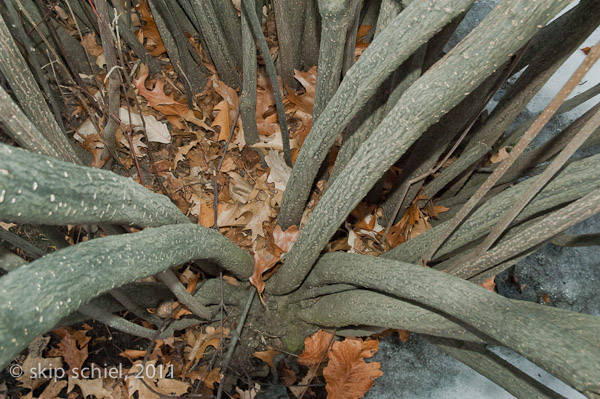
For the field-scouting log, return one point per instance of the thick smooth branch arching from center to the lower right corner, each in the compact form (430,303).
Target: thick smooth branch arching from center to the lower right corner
(563,343)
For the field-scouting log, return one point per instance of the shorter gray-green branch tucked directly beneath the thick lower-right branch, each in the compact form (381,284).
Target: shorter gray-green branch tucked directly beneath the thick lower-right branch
(362,307)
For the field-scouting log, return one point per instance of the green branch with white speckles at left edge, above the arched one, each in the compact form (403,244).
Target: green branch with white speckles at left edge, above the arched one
(41,190)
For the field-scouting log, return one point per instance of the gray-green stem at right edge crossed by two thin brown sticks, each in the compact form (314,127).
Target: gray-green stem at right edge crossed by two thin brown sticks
(576,180)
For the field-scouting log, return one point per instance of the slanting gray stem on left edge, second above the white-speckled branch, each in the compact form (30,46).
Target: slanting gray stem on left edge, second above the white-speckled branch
(21,80)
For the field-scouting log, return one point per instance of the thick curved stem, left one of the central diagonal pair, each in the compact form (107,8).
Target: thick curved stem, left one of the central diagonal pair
(415,25)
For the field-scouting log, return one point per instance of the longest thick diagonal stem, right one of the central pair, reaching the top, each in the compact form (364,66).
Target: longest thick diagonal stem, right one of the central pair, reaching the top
(439,90)
